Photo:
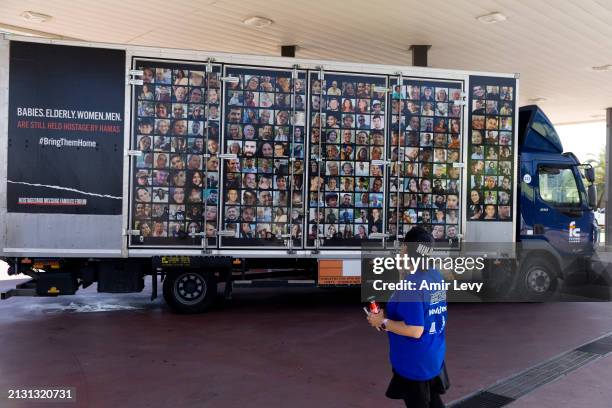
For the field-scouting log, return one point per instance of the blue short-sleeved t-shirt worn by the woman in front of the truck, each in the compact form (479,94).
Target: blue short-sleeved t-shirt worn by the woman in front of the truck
(419,359)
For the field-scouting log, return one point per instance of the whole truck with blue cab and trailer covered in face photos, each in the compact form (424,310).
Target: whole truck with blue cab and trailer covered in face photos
(123,162)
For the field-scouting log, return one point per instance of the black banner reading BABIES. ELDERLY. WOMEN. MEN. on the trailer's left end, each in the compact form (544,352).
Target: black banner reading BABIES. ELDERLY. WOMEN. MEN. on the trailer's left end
(65,131)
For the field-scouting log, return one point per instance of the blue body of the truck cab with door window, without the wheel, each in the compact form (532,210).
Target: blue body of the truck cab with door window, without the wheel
(553,206)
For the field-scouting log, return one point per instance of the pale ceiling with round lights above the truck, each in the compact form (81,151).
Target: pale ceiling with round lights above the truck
(553,44)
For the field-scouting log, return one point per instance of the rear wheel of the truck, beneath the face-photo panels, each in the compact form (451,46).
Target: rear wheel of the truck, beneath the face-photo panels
(190,291)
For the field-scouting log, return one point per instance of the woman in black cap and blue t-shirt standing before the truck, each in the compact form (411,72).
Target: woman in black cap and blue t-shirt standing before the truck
(416,325)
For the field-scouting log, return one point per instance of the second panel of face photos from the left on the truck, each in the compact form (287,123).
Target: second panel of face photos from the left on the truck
(264,132)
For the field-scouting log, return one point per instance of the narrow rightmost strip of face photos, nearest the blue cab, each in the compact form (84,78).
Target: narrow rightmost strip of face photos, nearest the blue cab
(491,154)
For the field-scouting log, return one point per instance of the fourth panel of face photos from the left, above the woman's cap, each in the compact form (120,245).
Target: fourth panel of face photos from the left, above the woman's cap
(424,181)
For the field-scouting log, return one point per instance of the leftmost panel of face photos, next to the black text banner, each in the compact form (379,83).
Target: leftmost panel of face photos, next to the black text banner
(176,177)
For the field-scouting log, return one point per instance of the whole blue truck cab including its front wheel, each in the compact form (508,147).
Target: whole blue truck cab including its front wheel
(557,230)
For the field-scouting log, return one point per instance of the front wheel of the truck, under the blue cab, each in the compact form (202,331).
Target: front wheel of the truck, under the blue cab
(537,281)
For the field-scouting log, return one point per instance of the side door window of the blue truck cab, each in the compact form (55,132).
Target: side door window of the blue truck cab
(558,186)
